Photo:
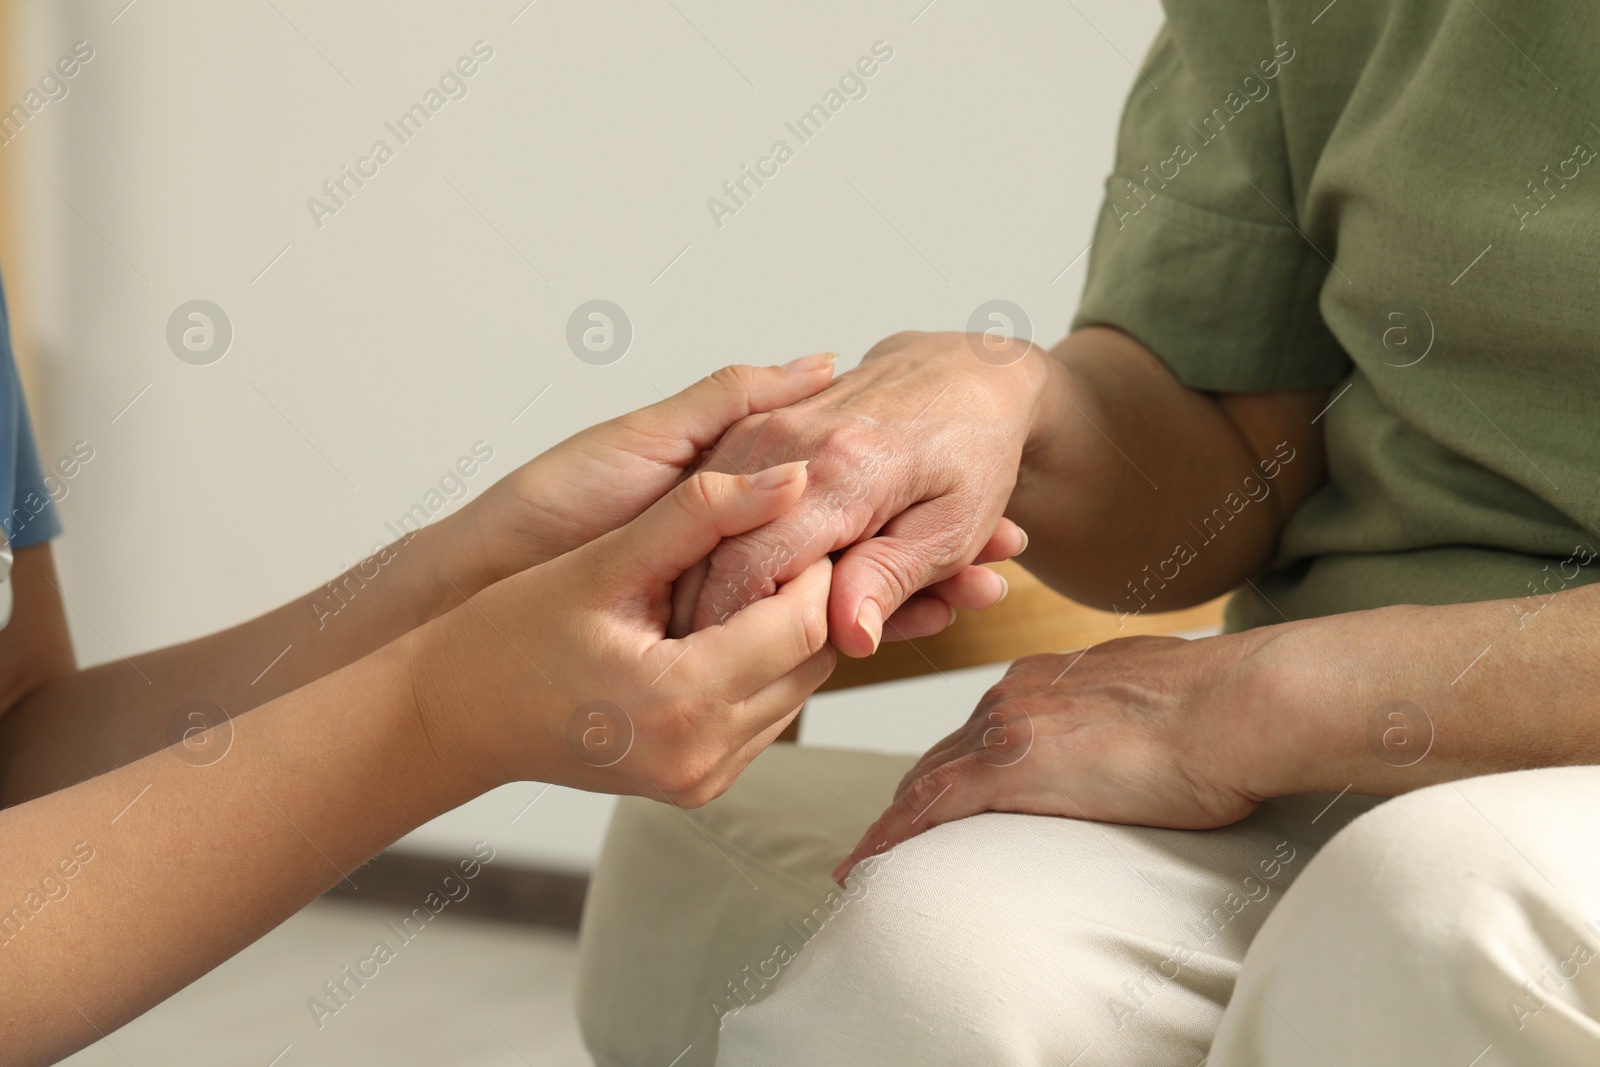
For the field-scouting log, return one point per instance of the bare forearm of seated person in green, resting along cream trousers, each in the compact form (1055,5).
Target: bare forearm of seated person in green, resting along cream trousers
(1398,698)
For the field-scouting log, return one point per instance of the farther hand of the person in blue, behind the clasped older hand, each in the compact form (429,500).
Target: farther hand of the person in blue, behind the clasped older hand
(609,474)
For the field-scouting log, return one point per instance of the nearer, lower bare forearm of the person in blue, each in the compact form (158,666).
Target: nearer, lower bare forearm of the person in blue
(119,892)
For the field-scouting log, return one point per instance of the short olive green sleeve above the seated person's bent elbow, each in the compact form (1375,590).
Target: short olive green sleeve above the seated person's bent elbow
(1196,252)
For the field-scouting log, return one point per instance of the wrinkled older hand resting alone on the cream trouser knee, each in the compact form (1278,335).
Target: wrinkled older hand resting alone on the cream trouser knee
(1143,730)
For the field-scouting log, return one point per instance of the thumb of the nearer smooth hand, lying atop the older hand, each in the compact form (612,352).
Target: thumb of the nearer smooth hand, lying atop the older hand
(687,524)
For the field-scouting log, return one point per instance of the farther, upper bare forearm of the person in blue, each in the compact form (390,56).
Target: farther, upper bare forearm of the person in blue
(79,725)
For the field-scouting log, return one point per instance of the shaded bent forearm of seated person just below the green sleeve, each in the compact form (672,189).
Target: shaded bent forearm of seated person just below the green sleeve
(1140,494)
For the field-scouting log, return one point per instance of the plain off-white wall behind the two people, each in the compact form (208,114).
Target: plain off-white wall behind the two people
(417,321)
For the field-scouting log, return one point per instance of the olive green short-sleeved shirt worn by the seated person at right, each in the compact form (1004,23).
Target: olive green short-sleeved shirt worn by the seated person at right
(1398,201)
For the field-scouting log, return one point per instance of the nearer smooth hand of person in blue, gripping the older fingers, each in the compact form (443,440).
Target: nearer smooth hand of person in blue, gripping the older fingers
(564,673)
